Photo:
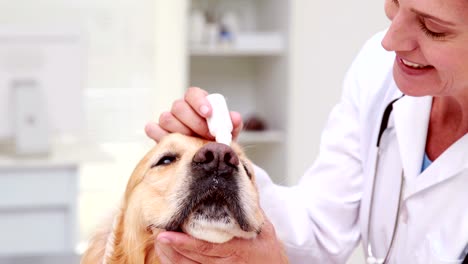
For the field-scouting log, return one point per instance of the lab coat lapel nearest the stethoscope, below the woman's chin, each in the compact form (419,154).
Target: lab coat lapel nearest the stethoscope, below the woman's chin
(411,117)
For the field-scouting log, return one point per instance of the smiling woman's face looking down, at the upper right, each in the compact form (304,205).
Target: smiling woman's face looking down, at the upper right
(430,40)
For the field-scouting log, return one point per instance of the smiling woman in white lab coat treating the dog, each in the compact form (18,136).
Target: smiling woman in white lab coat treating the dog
(393,165)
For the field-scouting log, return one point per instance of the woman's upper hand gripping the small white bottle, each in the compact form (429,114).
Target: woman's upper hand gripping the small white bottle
(188,116)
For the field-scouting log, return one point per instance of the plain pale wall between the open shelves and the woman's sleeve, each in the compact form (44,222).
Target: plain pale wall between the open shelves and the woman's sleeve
(325,37)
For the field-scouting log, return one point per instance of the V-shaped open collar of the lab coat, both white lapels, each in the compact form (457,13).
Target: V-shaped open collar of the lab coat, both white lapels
(411,117)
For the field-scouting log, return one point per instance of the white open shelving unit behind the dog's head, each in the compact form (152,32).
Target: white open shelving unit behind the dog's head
(251,70)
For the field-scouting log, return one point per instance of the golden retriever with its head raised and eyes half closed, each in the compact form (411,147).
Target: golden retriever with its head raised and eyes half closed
(202,188)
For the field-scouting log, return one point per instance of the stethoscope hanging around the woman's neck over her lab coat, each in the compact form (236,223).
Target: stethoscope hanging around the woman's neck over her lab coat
(371,258)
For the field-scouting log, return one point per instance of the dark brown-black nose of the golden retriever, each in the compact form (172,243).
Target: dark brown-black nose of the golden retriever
(216,157)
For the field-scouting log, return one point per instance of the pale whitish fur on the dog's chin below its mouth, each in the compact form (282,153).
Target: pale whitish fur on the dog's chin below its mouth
(215,231)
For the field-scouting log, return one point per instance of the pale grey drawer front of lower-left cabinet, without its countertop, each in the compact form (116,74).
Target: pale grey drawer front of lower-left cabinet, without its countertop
(37,209)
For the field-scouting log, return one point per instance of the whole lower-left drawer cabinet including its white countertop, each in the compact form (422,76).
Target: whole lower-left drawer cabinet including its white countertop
(39,199)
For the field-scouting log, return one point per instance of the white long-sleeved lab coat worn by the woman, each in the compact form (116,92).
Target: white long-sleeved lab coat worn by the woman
(324,217)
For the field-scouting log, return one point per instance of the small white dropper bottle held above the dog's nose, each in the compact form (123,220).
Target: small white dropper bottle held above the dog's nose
(220,124)
